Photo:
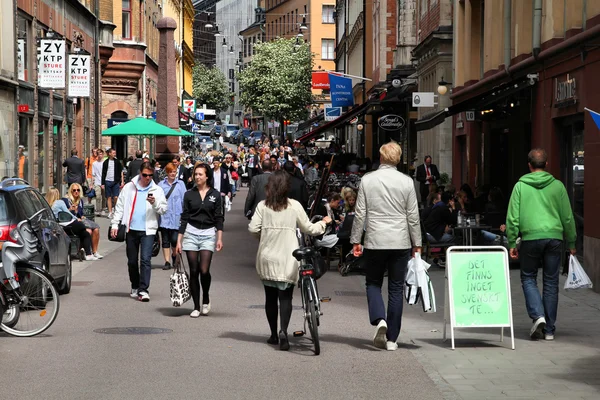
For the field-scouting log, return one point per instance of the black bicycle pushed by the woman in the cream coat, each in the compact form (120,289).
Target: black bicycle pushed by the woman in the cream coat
(311,302)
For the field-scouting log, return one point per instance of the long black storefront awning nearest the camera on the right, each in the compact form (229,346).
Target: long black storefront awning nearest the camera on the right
(477,103)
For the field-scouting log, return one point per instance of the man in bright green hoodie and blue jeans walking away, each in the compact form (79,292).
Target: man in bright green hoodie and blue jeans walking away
(540,210)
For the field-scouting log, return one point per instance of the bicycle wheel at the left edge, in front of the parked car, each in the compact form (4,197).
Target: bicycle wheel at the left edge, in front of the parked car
(39,307)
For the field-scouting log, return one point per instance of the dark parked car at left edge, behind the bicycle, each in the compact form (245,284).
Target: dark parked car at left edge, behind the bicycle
(20,201)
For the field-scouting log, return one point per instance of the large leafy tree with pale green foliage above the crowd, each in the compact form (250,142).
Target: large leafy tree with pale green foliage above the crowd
(277,83)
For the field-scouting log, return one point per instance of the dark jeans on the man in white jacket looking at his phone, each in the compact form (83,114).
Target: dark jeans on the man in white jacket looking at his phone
(139,271)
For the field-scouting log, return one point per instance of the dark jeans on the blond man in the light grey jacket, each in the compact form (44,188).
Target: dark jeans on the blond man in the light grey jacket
(395,262)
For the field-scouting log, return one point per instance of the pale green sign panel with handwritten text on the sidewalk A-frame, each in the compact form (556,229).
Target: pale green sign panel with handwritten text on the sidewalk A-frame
(479,289)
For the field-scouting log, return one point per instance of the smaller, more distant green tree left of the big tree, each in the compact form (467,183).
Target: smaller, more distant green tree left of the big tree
(210,87)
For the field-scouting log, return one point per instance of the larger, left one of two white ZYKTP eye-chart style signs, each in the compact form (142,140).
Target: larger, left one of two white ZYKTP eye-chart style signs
(52,64)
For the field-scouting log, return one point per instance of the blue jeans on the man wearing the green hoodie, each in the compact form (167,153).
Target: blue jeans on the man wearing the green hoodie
(533,254)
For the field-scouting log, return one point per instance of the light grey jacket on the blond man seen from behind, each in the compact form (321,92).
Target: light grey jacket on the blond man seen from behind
(387,209)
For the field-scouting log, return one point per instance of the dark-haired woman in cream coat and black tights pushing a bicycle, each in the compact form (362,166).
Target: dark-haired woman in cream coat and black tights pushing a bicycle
(274,222)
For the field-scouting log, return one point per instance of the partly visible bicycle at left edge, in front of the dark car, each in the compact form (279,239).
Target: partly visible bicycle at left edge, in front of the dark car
(29,301)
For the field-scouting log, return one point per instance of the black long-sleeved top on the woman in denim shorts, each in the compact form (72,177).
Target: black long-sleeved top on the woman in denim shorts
(202,214)
